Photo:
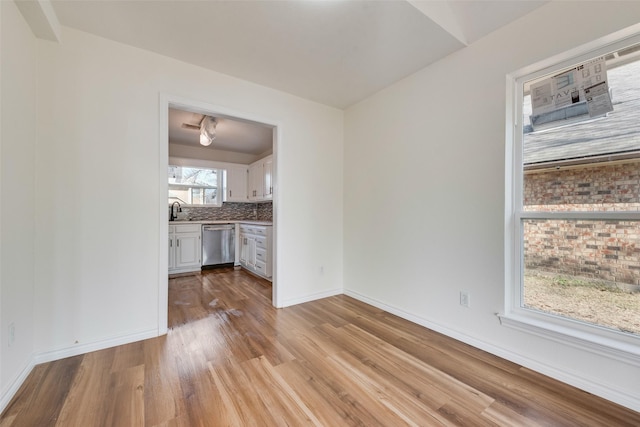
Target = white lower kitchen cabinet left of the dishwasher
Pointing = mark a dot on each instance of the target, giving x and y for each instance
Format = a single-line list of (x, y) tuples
[(184, 248)]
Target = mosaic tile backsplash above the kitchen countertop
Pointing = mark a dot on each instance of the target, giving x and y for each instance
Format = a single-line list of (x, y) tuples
[(230, 212)]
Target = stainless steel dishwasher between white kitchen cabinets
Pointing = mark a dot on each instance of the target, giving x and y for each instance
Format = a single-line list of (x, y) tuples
[(218, 244)]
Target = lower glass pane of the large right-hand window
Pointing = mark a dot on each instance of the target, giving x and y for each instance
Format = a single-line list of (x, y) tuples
[(587, 270)]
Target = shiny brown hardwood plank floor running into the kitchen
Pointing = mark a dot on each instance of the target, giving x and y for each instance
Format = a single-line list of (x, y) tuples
[(230, 359)]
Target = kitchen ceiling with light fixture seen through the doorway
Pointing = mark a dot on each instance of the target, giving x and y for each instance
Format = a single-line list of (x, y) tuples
[(233, 135)]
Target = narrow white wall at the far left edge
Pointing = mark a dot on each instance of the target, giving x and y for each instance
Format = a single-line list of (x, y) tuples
[(17, 142)]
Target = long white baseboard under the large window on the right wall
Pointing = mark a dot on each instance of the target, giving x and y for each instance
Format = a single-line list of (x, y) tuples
[(582, 383)]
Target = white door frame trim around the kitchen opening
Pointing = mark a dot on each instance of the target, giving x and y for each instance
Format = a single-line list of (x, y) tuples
[(167, 101)]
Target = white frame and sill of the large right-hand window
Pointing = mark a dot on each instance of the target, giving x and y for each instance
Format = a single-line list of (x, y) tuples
[(589, 337)]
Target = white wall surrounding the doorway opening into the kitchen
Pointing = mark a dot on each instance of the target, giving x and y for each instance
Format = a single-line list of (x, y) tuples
[(97, 172)]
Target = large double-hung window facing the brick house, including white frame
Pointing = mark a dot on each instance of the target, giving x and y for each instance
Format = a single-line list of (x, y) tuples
[(573, 217)]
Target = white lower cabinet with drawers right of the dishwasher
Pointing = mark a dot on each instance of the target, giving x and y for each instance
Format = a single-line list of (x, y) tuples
[(256, 249)]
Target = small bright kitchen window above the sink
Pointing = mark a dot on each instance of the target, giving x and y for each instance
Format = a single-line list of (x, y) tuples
[(195, 186)]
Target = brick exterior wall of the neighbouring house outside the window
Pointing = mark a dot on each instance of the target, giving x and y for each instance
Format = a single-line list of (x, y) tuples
[(606, 250)]
